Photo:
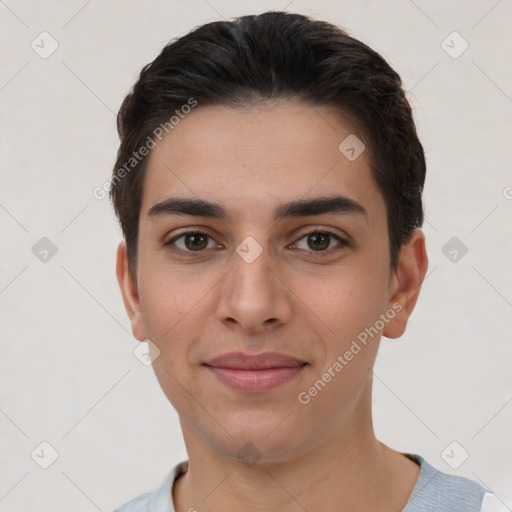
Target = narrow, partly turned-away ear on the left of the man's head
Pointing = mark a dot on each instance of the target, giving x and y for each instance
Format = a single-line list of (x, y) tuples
[(129, 292)]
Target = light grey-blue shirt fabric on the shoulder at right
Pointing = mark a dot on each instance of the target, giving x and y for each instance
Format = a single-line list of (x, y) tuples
[(435, 491)]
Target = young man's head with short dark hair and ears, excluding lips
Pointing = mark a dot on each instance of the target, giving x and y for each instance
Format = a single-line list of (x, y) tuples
[(262, 127)]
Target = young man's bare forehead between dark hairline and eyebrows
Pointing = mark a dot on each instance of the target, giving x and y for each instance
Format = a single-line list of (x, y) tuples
[(246, 158)]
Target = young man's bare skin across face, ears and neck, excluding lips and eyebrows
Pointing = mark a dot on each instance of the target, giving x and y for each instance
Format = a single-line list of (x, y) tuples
[(319, 456)]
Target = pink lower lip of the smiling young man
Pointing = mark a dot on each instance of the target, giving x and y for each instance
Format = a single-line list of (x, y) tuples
[(255, 381)]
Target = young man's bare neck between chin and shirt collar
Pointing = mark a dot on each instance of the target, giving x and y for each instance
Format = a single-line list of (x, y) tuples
[(346, 470)]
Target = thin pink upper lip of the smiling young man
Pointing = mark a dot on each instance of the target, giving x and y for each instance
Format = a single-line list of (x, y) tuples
[(241, 361)]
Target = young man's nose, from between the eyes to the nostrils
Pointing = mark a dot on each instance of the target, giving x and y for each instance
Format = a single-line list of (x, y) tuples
[(254, 299)]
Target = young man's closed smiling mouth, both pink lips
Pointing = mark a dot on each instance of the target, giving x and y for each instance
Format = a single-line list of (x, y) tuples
[(255, 373)]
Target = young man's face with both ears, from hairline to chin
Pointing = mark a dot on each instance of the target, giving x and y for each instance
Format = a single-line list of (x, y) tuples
[(257, 235)]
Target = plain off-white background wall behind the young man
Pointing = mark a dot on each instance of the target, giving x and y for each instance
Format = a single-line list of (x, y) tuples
[(68, 374)]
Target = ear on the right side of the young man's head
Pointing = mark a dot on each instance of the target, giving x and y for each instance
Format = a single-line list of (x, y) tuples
[(405, 283)]
